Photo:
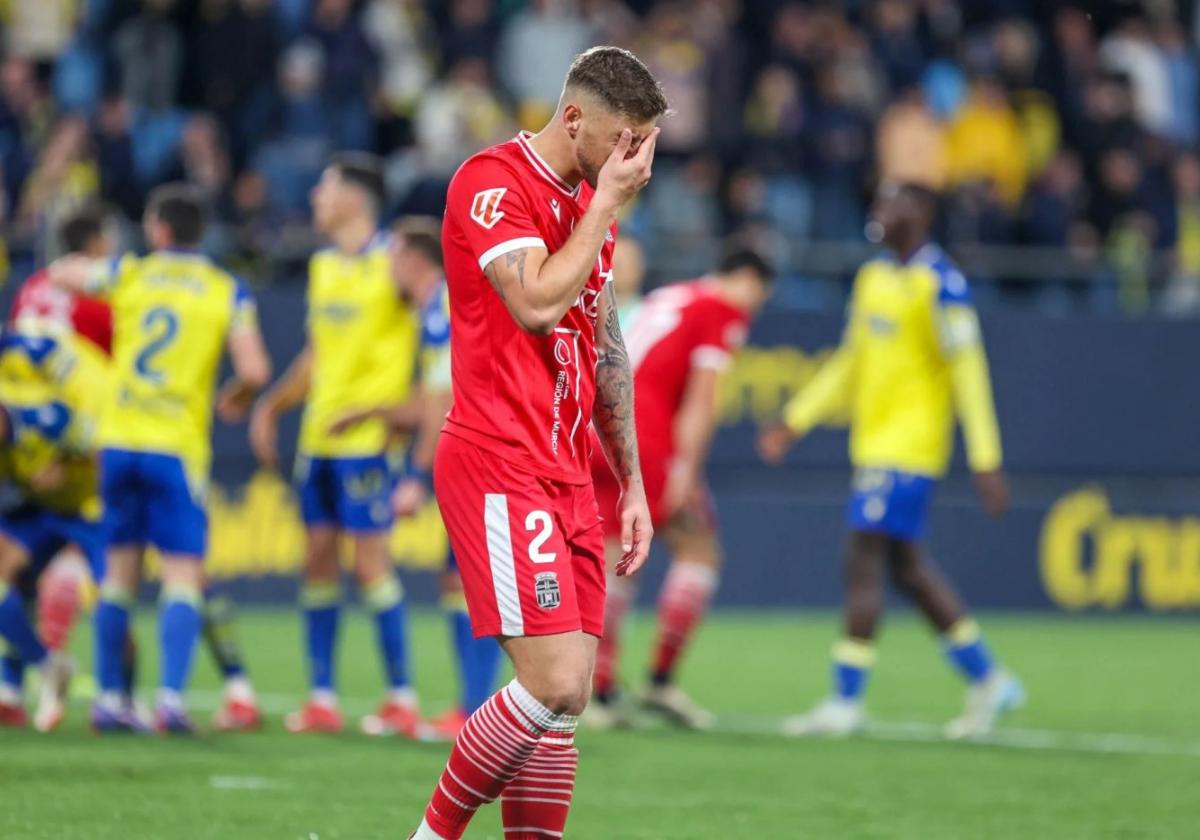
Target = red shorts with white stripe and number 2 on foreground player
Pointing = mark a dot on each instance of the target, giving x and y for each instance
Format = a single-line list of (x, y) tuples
[(530, 550)]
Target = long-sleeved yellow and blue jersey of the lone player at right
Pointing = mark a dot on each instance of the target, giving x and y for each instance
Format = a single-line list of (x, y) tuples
[(910, 363)]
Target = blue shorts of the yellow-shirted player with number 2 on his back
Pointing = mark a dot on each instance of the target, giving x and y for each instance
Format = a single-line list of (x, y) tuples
[(149, 501)]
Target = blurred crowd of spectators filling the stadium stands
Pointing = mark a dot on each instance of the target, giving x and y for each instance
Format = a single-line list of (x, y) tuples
[(1071, 129)]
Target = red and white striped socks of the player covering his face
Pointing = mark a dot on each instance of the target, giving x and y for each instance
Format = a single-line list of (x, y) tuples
[(496, 745)]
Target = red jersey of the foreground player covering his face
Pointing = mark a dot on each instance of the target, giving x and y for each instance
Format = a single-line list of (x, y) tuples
[(524, 397)]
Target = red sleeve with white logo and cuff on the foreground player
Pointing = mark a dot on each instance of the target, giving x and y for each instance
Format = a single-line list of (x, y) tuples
[(491, 212)]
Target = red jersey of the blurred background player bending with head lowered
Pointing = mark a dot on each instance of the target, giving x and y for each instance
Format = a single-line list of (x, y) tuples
[(679, 328)]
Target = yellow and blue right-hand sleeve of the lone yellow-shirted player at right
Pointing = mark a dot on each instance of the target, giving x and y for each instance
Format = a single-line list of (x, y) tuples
[(962, 344)]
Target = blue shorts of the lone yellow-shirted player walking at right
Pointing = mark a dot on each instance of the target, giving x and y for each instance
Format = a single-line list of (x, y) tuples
[(890, 502)]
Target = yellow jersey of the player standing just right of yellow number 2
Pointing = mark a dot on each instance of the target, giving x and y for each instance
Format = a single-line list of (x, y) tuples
[(364, 341)]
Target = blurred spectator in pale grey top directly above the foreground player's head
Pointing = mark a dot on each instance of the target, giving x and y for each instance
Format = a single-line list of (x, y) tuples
[(536, 49)]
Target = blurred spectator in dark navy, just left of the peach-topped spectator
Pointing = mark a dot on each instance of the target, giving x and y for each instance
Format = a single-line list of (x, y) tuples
[(841, 137)]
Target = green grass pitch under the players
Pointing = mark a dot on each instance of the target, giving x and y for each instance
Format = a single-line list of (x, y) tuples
[(1109, 747)]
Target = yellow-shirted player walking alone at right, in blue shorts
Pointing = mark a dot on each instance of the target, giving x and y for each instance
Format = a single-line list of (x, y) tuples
[(911, 361)]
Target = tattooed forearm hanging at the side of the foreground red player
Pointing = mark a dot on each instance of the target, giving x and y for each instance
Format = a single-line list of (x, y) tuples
[(614, 413)]
